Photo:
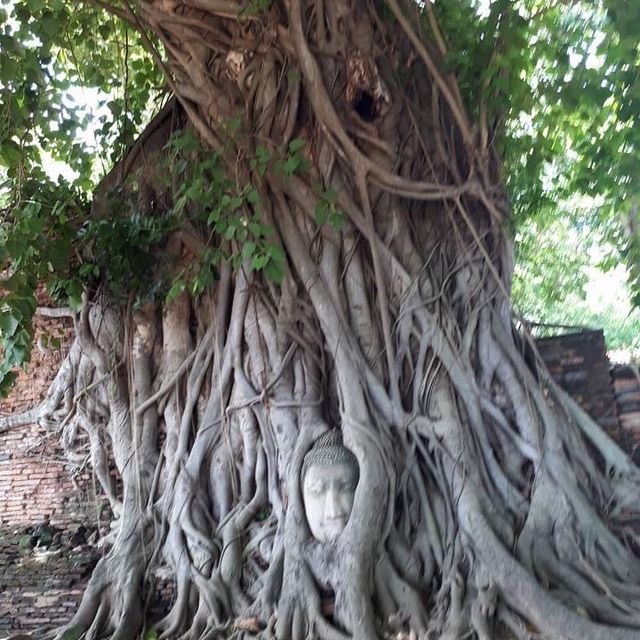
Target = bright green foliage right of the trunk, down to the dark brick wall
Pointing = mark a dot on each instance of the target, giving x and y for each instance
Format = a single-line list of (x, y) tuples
[(559, 87)]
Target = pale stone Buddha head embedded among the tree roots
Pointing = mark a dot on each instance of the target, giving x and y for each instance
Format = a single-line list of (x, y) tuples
[(329, 478)]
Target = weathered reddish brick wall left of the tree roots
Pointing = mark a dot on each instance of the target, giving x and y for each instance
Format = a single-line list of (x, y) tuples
[(48, 509)]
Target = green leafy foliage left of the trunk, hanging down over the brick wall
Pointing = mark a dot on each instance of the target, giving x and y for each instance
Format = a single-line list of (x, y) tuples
[(50, 71)]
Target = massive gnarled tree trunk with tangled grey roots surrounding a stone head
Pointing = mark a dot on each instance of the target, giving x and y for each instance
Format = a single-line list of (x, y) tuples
[(481, 510)]
